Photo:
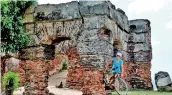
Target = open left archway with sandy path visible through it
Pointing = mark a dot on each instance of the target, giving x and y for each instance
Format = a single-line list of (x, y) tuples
[(58, 61)]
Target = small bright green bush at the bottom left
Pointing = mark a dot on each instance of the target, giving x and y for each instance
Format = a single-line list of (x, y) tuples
[(10, 82)]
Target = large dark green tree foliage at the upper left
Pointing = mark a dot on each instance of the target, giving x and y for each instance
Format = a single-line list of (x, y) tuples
[(12, 30)]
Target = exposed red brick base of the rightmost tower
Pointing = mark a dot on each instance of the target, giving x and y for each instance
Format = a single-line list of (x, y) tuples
[(138, 75)]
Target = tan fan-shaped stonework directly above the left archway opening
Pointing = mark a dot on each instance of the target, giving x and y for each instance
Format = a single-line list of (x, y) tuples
[(49, 32)]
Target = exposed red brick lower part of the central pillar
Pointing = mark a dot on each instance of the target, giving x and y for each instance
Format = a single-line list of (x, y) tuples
[(84, 77)]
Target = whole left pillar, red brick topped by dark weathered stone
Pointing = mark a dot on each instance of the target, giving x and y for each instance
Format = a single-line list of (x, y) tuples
[(35, 66)]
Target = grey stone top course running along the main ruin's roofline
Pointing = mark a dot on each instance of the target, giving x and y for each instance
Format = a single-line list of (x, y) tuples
[(75, 10)]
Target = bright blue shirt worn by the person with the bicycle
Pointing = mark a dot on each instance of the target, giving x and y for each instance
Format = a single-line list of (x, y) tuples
[(117, 65)]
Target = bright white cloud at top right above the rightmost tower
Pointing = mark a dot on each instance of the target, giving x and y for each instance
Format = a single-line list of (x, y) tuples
[(143, 6)]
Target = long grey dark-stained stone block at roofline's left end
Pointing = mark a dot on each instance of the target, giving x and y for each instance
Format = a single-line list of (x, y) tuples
[(56, 12)]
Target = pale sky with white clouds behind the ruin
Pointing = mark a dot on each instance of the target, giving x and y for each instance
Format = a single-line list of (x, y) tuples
[(159, 12)]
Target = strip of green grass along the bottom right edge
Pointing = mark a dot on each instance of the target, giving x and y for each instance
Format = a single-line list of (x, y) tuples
[(145, 93)]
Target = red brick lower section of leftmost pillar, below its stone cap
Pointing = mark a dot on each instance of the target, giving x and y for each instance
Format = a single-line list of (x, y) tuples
[(36, 77)]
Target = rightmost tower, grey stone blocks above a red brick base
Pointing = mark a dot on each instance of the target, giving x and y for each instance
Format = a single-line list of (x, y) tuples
[(140, 55)]
